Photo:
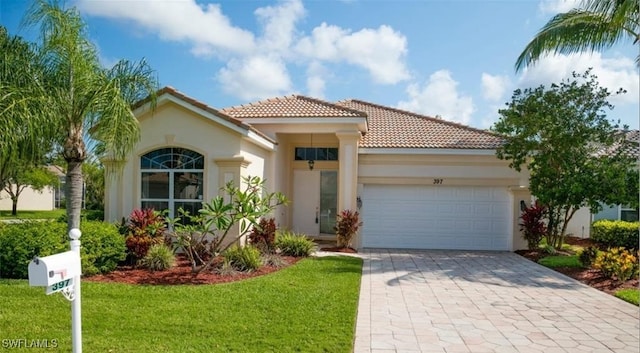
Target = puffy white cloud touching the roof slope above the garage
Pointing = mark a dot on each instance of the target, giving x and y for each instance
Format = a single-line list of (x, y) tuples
[(439, 96)]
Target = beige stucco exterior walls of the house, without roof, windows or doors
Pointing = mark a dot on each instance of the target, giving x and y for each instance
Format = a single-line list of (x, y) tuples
[(267, 149)]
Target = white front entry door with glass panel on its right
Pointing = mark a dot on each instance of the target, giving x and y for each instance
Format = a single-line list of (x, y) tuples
[(315, 201)]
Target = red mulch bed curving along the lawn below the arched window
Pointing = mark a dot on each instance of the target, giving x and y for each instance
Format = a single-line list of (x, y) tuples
[(181, 273)]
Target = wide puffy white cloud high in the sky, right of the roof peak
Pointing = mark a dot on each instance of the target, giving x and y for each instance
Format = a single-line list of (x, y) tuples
[(380, 51)]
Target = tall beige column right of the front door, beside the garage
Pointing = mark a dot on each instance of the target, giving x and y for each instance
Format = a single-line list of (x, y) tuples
[(348, 169)]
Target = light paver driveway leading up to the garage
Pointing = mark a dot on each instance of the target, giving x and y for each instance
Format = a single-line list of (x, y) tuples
[(458, 301)]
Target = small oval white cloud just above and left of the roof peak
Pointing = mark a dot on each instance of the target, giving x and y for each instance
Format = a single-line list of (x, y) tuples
[(255, 77)]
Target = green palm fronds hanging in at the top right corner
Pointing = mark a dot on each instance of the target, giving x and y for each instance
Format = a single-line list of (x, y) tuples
[(596, 25)]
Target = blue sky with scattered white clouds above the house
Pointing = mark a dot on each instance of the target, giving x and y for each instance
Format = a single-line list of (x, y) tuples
[(448, 58)]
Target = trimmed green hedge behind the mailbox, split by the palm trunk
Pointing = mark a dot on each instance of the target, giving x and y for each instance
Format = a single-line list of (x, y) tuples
[(102, 246)]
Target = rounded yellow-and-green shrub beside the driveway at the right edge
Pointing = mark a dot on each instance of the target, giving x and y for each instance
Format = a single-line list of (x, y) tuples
[(617, 263)]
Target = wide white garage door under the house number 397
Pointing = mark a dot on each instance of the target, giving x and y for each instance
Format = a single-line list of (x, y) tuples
[(435, 217)]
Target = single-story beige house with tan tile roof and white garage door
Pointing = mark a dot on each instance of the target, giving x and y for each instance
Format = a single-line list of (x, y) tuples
[(419, 182)]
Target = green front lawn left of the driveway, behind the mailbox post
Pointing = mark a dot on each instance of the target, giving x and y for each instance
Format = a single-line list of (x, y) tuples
[(308, 307)]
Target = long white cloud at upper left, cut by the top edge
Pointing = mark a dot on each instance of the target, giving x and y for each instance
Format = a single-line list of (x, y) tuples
[(205, 27)]
